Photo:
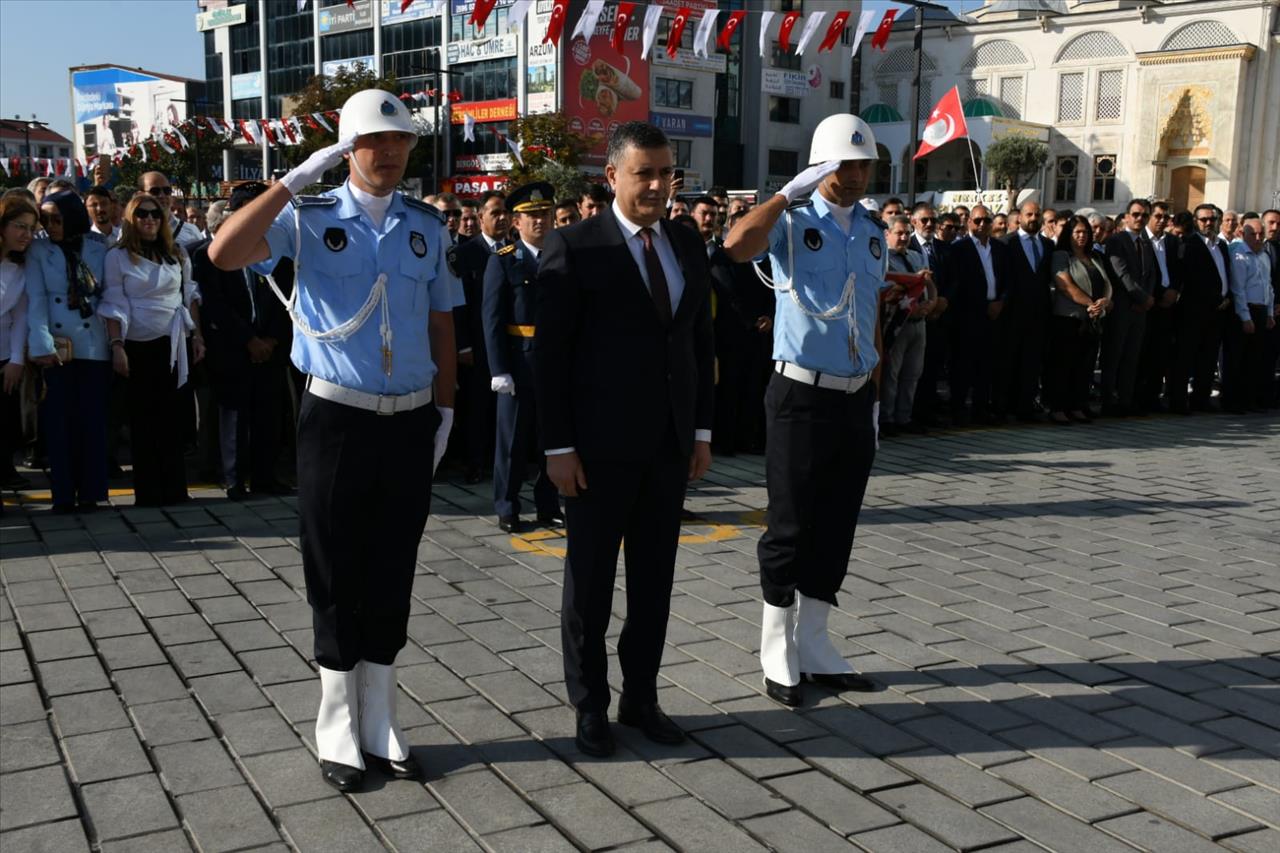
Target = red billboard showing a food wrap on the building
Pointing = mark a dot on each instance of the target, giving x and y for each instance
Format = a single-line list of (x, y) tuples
[(604, 89)]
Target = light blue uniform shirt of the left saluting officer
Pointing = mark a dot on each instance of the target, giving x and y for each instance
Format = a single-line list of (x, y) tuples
[(341, 256)]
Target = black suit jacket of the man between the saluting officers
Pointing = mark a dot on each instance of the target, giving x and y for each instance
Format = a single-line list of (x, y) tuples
[(612, 377)]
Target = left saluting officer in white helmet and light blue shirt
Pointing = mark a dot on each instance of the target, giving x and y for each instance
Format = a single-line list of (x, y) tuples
[(373, 321)]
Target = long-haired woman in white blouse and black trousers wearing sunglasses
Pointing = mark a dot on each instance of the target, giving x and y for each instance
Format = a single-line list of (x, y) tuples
[(152, 308)]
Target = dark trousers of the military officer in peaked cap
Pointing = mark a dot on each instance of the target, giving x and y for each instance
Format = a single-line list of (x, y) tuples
[(516, 443)]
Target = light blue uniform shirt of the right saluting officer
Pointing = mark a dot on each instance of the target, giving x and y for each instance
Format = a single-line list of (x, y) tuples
[(825, 257)]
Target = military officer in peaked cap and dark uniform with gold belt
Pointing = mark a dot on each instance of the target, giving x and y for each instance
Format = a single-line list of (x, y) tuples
[(510, 303)]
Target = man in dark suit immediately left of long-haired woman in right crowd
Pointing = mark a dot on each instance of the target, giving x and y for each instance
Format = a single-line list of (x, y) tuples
[(1023, 323)]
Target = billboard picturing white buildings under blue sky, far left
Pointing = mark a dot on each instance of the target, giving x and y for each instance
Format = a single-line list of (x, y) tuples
[(113, 108)]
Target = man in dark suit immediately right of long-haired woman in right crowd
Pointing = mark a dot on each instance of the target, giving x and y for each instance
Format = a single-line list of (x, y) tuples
[(1131, 261)]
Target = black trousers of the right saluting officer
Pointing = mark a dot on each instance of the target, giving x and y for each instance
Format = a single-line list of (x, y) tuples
[(821, 448)]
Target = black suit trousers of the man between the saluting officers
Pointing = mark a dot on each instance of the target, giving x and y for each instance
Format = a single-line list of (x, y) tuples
[(641, 504)]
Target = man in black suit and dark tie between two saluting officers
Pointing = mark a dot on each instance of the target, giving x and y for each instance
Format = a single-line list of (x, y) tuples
[(625, 385)]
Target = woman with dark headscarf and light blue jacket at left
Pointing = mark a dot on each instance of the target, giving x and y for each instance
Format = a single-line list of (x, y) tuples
[(66, 336)]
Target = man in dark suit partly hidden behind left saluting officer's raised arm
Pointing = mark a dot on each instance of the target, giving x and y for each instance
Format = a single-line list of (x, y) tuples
[(249, 335)]
